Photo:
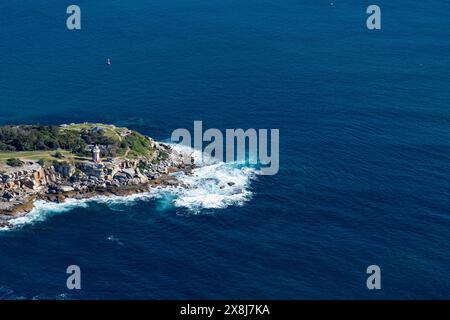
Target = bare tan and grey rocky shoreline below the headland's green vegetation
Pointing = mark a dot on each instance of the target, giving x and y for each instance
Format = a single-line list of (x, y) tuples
[(21, 187)]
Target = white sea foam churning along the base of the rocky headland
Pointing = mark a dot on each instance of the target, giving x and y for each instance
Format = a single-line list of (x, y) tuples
[(214, 185)]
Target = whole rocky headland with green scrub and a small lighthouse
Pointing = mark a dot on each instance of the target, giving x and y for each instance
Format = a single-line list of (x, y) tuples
[(53, 163)]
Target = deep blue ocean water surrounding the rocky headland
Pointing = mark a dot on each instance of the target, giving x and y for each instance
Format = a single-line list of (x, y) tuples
[(364, 119)]
